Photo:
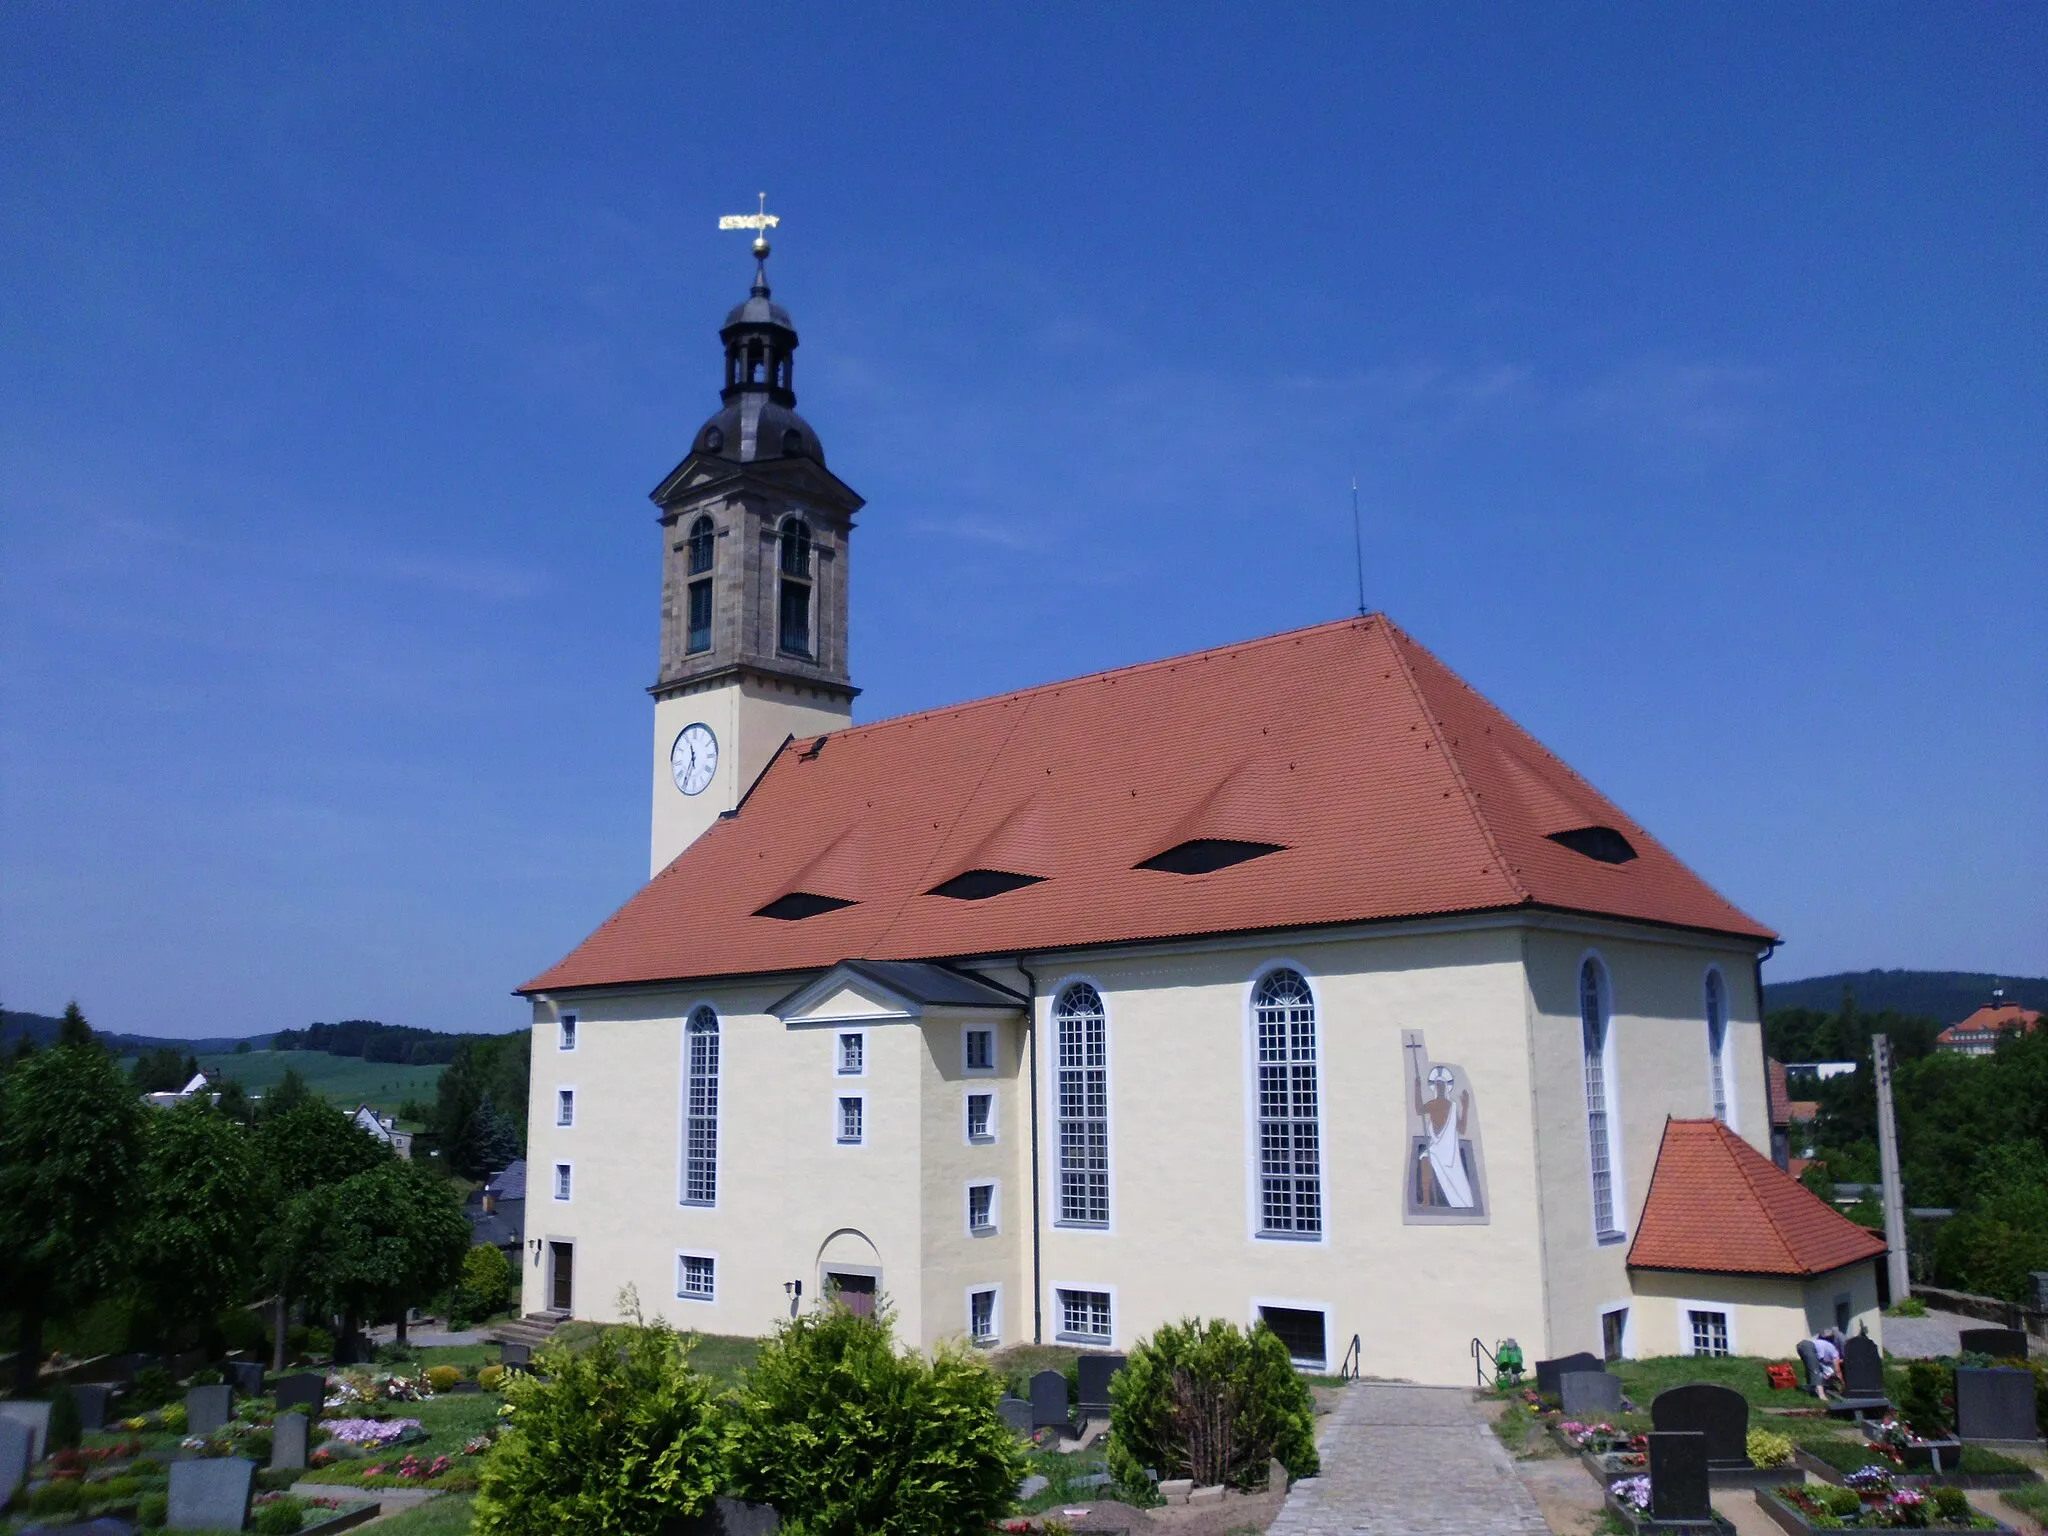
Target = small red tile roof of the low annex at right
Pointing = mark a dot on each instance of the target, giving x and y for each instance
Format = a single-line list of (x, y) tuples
[(1719, 1205)]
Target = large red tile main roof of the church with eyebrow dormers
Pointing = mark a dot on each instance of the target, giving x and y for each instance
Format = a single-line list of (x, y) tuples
[(1392, 787)]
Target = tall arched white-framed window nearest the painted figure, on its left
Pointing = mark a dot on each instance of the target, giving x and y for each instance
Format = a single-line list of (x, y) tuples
[(1291, 1144)]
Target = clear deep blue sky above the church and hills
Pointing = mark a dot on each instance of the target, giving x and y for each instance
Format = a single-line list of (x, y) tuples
[(1693, 361)]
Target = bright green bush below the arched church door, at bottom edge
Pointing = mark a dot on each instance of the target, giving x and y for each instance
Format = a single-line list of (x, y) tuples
[(847, 1437)]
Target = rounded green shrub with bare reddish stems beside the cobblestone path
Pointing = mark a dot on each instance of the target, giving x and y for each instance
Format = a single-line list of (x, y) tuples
[(1213, 1404)]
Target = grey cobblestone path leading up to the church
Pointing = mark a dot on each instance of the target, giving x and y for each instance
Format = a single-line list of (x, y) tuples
[(1410, 1461)]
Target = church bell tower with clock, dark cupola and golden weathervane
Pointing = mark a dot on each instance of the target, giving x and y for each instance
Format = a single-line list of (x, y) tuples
[(755, 572)]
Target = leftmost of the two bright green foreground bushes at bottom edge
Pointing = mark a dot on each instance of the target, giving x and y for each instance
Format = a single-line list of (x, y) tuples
[(613, 1439)]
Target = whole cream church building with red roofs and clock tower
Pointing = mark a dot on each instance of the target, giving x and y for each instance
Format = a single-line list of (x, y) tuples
[(1279, 982)]
